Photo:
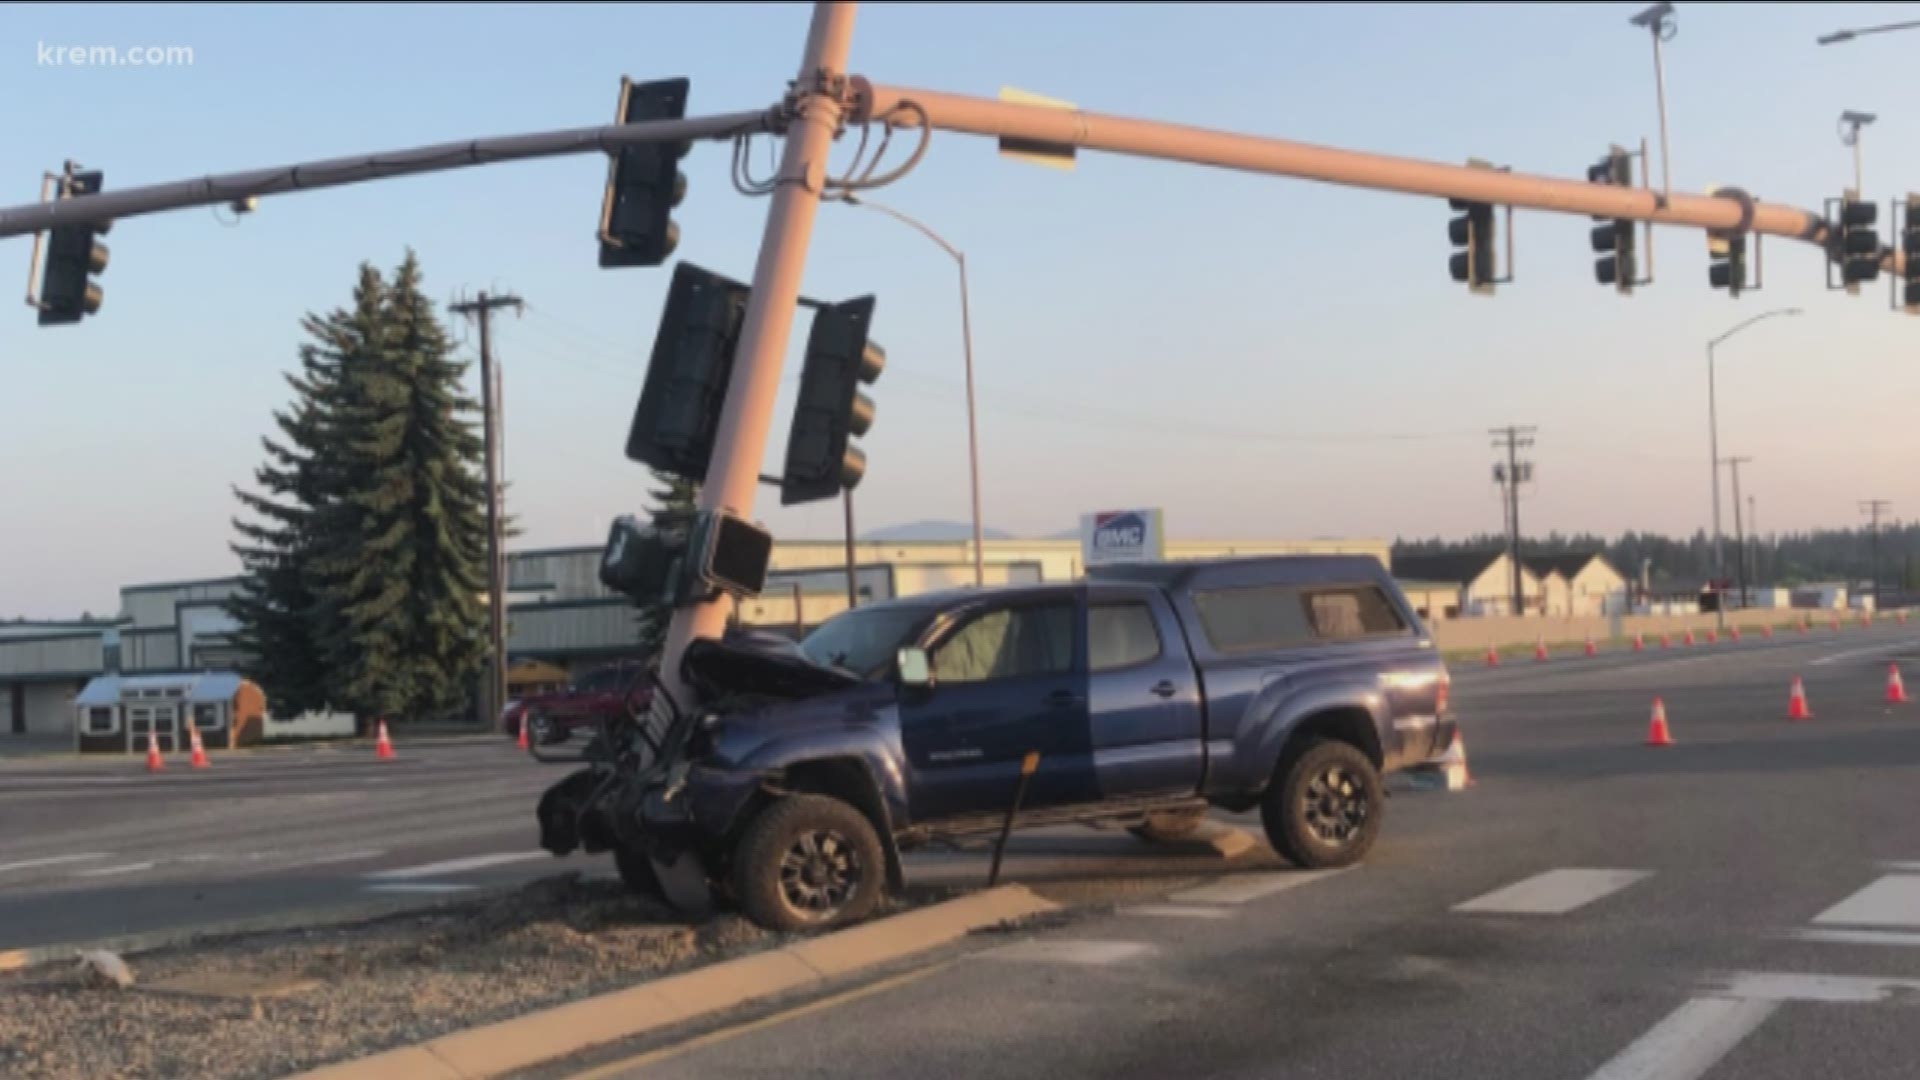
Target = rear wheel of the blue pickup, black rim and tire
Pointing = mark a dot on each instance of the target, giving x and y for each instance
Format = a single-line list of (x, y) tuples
[(1326, 808)]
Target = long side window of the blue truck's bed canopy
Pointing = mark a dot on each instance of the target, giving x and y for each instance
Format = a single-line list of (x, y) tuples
[(1282, 616)]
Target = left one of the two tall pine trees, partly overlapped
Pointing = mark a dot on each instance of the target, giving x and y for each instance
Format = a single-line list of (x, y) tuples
[(281, 616)]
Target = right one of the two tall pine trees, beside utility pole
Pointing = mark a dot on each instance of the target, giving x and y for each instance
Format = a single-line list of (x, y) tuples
[(406, 552)]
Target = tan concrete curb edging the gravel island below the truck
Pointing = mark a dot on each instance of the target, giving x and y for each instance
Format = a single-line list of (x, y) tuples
[(523, 1043)]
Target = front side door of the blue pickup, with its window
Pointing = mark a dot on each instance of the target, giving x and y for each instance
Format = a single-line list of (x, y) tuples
[(1009, 679)]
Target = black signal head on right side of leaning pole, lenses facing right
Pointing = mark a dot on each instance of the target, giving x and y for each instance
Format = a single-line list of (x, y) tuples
[(832, 410)]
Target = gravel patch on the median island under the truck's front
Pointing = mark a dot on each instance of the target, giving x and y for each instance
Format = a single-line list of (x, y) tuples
[(383, 985)]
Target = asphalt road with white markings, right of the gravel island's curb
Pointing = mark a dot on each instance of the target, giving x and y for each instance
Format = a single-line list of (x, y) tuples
[(1744, 904)]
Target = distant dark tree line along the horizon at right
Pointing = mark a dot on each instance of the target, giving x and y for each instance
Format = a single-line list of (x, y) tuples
[(1779, 558)]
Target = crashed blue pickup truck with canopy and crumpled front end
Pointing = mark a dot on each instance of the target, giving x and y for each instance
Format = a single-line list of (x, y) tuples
[(1149, 693)]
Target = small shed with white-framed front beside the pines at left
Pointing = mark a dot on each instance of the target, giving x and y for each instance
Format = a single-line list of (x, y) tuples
[(120, 714)]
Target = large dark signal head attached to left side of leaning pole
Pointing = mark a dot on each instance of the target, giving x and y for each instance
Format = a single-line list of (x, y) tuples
[(688, 376)]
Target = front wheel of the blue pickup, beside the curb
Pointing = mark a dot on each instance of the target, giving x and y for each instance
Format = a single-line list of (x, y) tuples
[(809, 864)]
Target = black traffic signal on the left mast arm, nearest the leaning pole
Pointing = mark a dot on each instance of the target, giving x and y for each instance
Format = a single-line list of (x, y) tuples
[(644, 182)]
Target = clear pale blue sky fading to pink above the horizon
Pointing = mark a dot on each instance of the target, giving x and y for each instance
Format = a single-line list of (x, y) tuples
[(1259, 356)]
